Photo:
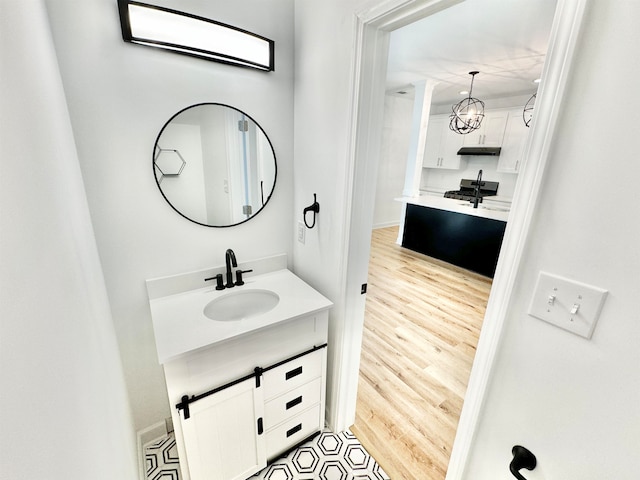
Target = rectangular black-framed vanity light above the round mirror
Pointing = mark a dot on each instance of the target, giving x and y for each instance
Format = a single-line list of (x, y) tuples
[(193, 35)]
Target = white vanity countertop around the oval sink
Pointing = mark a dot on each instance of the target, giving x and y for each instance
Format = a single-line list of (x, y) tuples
[(180, 325)]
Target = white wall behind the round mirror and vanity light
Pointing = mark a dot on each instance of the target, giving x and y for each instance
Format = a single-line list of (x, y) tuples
[(119, 96)]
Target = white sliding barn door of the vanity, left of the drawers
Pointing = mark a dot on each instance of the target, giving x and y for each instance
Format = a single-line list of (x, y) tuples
[(222, 438)]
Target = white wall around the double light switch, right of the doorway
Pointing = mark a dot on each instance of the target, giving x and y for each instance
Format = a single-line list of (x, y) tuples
[(571, 401)]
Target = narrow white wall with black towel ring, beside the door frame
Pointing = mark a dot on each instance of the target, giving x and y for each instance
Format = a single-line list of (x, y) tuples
[(321, 149)]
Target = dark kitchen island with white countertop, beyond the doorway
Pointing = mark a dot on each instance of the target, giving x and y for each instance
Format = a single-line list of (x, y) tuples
[(454, 232)]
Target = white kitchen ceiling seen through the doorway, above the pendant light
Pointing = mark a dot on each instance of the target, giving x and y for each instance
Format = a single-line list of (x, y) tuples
[(505, 40)]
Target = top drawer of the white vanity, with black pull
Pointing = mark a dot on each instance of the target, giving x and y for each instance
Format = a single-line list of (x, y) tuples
[(293, 374)]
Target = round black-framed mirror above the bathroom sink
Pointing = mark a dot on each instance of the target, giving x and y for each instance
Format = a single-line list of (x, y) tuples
[(214, 165)]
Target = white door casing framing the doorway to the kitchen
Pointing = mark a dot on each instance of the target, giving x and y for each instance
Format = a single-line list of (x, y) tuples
[(373, 33)]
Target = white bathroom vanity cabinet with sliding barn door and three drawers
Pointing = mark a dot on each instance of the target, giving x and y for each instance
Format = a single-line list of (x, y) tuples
[(244, 417)]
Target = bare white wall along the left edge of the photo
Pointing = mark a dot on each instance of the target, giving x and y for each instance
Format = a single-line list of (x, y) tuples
[(63, 402)]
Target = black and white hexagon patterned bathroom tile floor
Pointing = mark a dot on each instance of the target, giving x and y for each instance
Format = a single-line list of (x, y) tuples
[(328, 456)]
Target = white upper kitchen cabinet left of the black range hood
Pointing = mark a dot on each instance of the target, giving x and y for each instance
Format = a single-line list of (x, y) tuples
[(442, 145)]
